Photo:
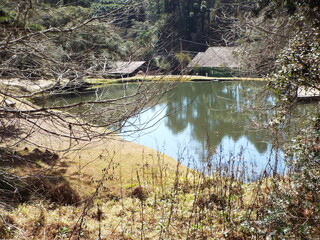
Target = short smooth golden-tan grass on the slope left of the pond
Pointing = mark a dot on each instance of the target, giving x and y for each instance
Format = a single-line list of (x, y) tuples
[(84, 164)]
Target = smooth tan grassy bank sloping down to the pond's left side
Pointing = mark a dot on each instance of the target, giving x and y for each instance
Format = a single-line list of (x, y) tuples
[(81, 159)]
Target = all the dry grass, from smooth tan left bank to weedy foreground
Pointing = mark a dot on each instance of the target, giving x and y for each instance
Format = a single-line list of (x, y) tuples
[(126, 191)]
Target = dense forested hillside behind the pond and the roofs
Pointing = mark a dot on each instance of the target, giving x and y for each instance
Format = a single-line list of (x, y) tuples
[(75, 38)]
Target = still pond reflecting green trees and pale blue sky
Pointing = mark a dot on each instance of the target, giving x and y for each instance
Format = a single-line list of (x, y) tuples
[(209, 124)]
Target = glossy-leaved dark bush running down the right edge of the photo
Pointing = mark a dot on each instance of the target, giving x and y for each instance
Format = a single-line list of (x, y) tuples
[(293, 206)]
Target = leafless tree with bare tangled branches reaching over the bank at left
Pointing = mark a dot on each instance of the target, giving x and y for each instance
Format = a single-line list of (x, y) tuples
[(64, 41)]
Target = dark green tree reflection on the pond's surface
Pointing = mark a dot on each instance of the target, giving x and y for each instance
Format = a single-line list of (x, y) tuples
[(215, 111)]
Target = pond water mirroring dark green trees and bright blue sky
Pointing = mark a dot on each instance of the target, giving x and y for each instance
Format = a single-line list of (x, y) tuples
[(206, 117)]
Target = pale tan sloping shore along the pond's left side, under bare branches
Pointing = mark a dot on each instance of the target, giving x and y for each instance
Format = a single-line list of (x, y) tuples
[(83, 162)]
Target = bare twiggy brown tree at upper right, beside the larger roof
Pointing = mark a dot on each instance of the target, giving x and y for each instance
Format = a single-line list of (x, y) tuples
[(266, 29)]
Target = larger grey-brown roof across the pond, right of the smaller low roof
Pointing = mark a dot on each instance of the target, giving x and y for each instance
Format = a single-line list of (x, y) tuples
[(215, 57)]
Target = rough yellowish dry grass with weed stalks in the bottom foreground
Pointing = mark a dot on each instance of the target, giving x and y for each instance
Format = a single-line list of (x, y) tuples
[(163, 206)]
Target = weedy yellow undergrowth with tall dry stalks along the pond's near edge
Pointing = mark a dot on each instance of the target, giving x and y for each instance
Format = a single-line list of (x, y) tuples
[(158, 203)]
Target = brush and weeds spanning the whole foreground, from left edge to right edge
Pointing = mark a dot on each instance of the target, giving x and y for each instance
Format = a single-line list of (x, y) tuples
[(158, 202)]
